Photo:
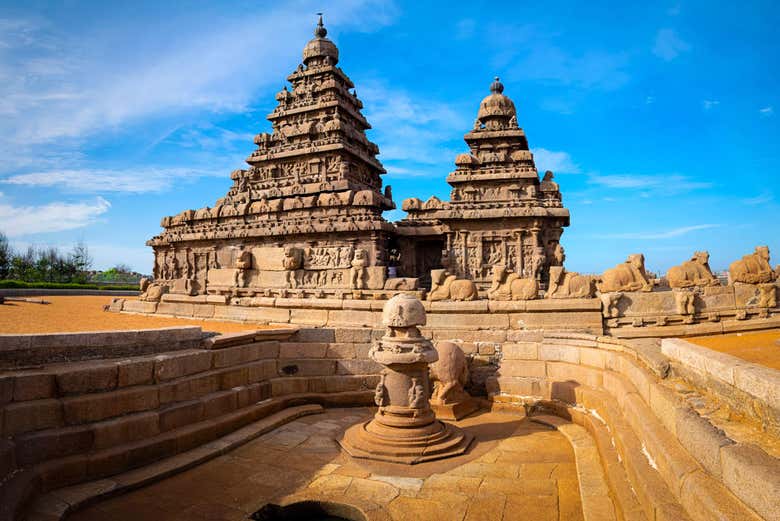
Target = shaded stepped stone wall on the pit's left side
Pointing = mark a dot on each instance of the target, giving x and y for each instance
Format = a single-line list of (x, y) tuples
[(67, 423)]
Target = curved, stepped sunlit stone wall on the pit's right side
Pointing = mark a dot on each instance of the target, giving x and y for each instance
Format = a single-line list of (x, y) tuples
[(660, 455)]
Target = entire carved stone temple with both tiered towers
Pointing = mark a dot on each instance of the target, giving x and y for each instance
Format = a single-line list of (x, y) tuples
[(306, 215)]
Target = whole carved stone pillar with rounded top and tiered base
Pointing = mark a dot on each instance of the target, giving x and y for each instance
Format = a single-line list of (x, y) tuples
[(404, 429)]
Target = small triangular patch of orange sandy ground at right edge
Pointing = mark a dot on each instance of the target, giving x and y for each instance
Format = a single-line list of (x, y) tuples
[(760, 347)]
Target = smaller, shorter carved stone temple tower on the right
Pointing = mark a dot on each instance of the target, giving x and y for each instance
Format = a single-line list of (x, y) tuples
[(499, 212)]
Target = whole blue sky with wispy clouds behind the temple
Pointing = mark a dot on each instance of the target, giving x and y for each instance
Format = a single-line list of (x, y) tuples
[(660, 121)]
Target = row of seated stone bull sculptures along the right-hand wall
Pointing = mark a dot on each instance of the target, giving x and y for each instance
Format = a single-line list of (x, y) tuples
[(627, 276)]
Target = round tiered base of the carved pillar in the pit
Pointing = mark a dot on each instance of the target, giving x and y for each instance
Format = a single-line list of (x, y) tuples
[(437, 440)]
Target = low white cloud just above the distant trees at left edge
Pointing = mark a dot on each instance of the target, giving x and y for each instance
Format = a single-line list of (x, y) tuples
[(16, 221)]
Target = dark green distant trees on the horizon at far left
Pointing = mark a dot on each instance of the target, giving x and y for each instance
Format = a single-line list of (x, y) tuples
[(44, 264)]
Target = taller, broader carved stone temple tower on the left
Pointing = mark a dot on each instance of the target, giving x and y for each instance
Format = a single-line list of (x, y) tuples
[(306, 213)]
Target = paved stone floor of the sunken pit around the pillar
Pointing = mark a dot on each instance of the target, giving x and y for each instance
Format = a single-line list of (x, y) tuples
[(517, 470)]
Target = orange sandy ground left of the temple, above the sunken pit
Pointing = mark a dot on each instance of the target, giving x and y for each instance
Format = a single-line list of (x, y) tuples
[(85, 313)]
